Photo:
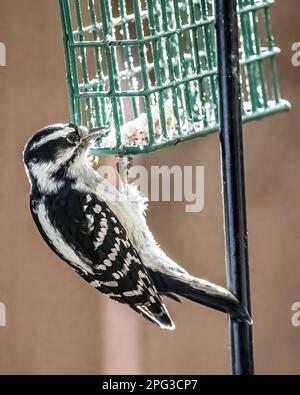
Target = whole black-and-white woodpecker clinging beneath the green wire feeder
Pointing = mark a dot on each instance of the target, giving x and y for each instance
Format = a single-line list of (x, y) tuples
[(107, 240)]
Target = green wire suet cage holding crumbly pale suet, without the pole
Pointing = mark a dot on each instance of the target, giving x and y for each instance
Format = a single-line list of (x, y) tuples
[(153, 63)]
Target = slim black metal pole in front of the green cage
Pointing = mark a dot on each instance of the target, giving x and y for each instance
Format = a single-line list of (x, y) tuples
[(233, 181)]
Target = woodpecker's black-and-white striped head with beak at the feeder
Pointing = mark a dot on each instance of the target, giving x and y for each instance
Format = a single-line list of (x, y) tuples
[(55, 153)]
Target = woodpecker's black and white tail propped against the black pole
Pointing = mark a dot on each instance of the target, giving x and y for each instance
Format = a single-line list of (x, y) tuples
[(201, 291)]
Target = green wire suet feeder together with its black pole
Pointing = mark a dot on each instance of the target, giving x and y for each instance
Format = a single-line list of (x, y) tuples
[(180, 69)]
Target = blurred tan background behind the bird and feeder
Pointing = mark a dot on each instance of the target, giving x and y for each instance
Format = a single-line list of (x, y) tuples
[(56, 323)]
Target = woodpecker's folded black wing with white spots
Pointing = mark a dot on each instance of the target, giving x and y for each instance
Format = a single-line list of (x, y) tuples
[(105, 256)]
